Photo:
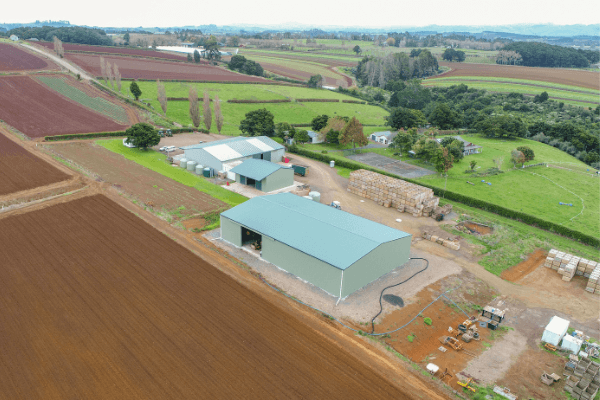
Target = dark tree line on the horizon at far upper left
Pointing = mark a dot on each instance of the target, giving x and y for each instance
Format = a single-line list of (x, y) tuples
[(72, 34)]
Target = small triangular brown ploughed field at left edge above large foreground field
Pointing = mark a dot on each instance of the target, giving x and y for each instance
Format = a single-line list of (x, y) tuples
[(22, 170)]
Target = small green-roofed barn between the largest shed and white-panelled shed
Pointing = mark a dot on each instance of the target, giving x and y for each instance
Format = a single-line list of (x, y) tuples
[(263, 175)]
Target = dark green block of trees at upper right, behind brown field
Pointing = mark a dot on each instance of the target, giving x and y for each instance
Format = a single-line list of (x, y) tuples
[(546, 55)]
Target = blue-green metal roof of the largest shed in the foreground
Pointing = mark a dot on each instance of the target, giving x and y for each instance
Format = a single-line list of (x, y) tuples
[(333, 236)]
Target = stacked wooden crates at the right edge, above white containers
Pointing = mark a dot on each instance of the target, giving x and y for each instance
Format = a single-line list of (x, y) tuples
[(569, 265)]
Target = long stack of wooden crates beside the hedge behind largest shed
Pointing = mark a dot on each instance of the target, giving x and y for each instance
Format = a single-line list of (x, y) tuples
[(391, 192)]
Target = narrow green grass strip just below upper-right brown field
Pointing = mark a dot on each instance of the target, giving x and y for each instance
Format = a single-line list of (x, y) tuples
[(584, 99)]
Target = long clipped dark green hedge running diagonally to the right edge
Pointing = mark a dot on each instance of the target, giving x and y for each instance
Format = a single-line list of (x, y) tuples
[(461, 198)]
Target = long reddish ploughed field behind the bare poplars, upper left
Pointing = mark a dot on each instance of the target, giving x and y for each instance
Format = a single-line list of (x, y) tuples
[(136, 68)]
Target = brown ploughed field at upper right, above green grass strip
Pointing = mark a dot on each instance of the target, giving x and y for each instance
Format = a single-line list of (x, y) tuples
[(587, 79)]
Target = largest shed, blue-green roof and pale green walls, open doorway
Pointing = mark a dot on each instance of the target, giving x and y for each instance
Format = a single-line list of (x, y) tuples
[(332, 249)]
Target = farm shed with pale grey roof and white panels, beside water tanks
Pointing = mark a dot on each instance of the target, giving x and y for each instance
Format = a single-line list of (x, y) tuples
[(224, 155)]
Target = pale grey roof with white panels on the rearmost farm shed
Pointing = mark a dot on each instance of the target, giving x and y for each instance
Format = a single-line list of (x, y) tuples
[(237, 147)]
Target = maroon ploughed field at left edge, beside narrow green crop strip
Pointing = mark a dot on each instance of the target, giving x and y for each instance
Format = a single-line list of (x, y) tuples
[(37, 111)]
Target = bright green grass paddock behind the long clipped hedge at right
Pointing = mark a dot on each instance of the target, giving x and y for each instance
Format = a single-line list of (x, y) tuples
[(536, 191)]
